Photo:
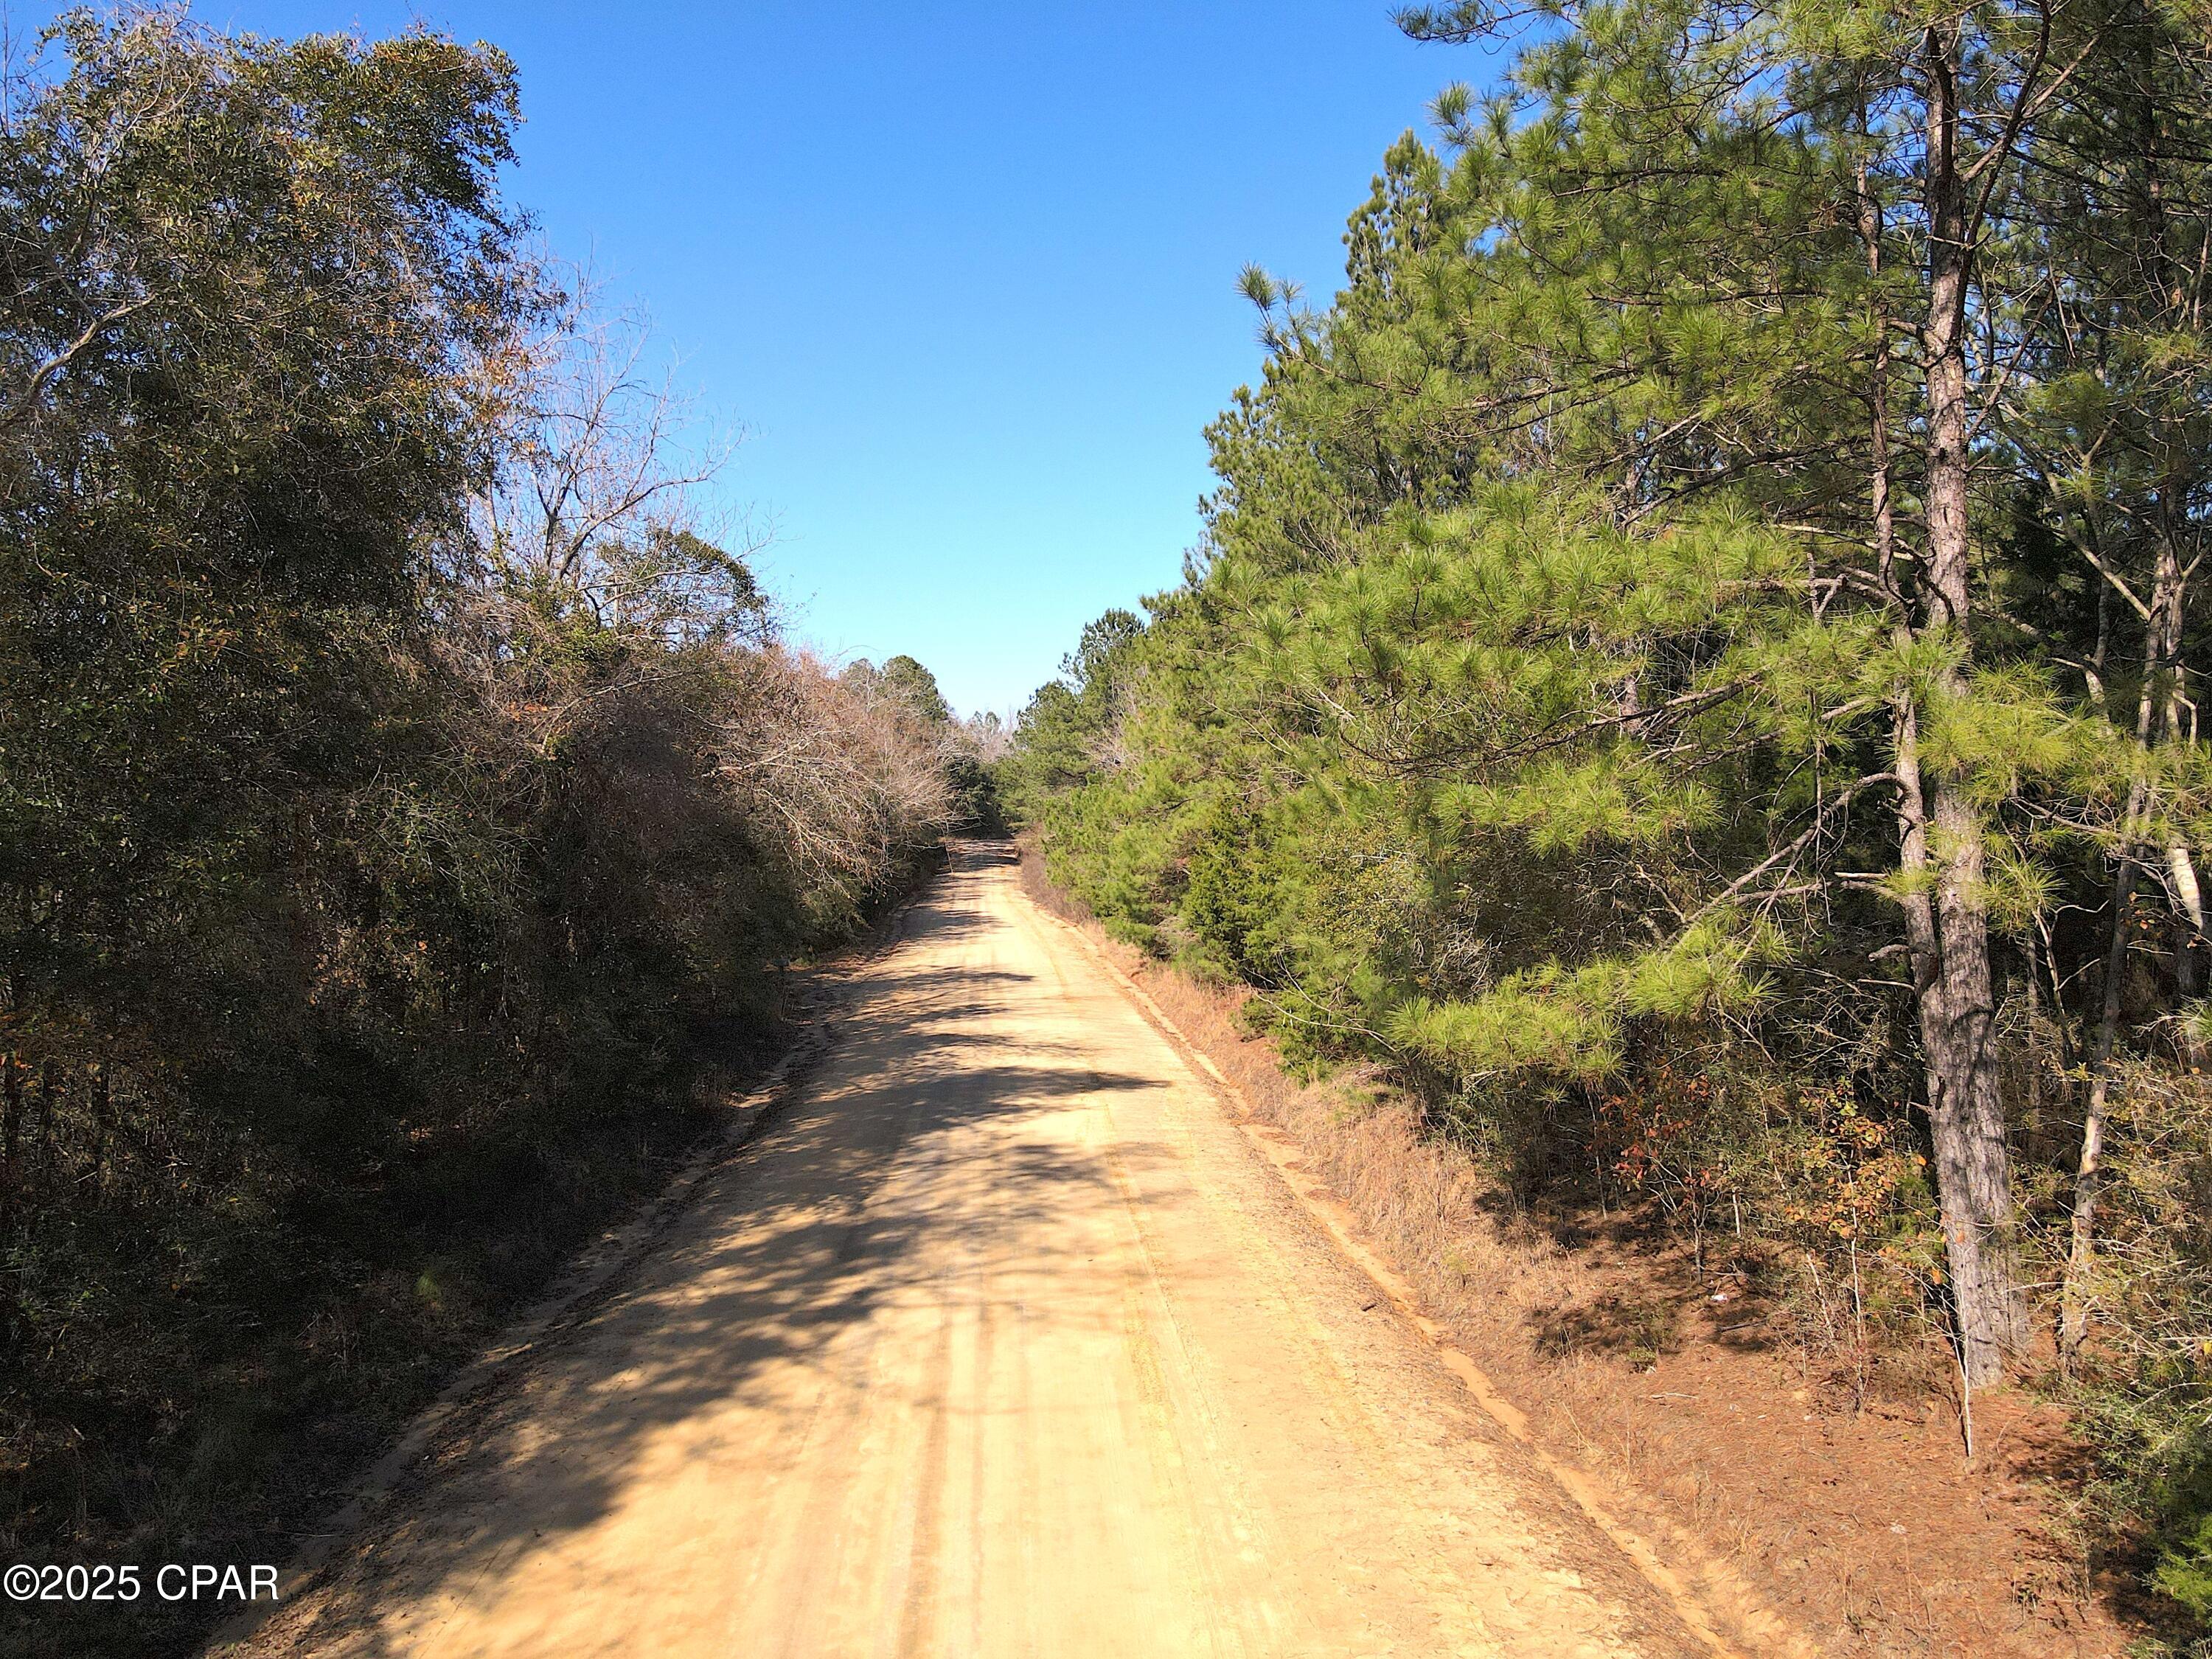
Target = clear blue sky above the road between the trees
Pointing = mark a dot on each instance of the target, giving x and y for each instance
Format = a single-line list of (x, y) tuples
[(966, 273)]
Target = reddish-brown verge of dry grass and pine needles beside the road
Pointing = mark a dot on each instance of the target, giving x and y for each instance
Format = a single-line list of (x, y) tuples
[(1718, 1434)]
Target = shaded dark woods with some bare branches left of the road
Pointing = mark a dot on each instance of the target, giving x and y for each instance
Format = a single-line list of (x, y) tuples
[(401, 784)]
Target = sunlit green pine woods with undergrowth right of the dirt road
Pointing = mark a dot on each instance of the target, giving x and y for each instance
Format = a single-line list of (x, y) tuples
[(1693, 665)]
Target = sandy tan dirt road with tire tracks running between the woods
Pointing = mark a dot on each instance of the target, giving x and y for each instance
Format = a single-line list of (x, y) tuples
[(1001, 1342)]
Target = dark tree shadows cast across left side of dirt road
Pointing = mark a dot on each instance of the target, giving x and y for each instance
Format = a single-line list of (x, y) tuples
[(906, 1147)]
